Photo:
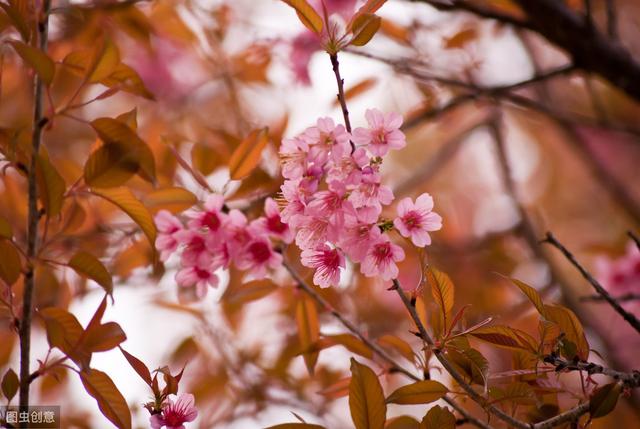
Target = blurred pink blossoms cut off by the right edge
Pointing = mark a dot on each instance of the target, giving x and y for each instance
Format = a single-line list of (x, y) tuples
[(621, 276)]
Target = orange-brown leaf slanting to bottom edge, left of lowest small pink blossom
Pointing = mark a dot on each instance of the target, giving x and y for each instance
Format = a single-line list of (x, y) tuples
[(110, 401)]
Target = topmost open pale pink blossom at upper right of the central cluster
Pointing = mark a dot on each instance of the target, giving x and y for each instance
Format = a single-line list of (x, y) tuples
[(382, 134)]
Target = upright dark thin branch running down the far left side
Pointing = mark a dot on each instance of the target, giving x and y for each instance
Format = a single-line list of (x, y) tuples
[(39, 123)]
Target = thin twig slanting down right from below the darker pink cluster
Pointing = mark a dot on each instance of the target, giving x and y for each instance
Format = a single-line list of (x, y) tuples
[(304, 286)]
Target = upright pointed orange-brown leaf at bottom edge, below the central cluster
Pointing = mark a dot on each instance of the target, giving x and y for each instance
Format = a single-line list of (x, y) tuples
[(366, 399)]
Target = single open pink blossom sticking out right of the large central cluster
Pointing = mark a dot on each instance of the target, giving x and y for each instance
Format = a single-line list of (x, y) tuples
[(416, 220)]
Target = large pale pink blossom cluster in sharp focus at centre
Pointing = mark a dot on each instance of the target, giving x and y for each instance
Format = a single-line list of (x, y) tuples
[(334, 199)]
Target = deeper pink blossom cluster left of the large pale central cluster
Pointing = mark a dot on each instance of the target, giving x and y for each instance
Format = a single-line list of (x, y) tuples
[(213, 237)]
